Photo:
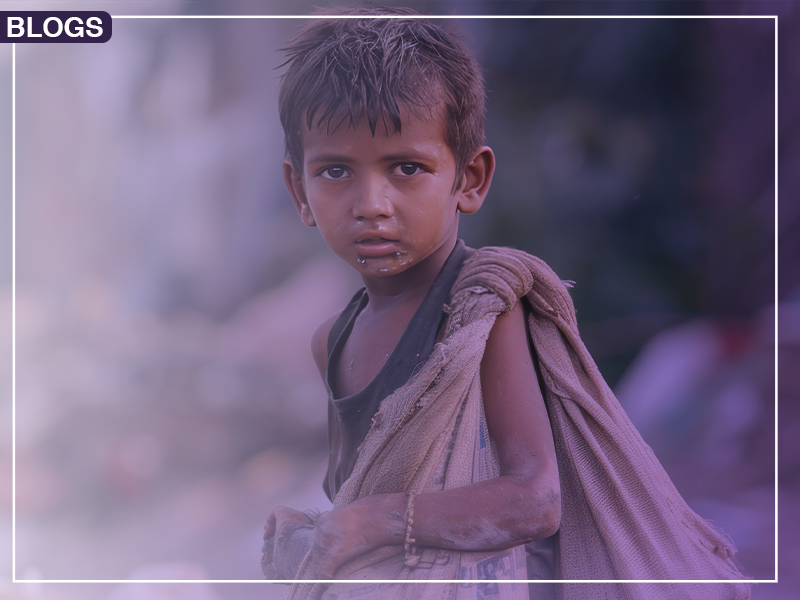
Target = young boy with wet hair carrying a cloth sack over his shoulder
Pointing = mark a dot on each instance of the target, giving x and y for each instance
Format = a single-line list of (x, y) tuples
[(463, 422)]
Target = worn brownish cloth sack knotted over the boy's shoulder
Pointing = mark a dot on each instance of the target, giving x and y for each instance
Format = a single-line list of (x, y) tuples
[(622, 518)]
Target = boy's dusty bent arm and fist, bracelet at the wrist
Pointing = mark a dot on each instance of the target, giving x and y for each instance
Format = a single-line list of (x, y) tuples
[(521, 505)]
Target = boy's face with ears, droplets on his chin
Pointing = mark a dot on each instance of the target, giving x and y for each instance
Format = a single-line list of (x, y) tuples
[(385, 202)]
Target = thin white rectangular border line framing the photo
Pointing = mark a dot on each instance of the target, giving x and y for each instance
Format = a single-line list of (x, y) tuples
[(258, 581)]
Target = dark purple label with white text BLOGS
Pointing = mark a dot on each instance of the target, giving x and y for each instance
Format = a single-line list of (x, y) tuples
[(51, 26)]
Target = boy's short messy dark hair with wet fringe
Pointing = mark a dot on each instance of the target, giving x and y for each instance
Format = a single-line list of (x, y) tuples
[(352, 69)]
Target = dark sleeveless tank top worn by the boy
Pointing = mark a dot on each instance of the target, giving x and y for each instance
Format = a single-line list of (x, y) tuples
[(350, 418)]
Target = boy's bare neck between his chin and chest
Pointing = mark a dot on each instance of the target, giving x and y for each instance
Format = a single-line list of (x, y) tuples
[(414, 282)]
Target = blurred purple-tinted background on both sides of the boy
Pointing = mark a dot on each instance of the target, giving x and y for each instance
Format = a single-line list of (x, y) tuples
[(166, 291)]
